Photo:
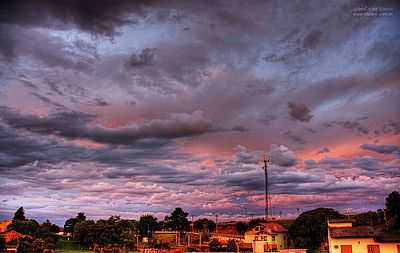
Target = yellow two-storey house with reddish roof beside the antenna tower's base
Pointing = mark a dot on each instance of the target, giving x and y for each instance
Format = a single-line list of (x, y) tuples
[(269, 236)]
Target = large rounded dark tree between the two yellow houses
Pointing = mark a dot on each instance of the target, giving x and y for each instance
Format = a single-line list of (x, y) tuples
[(310, 228)]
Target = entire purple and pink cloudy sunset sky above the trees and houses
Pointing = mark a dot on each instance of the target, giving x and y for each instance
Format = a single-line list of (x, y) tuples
[(131, 107)]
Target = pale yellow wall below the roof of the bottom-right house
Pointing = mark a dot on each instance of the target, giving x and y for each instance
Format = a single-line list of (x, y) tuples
[(359, 245)]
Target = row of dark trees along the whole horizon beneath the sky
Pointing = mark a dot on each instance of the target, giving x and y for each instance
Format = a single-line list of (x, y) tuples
[(309, 230)]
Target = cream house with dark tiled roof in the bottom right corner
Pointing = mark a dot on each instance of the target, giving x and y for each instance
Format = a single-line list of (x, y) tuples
[(343, 237)]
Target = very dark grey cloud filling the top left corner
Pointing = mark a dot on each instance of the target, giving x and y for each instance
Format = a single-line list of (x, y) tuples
[(97, 16)]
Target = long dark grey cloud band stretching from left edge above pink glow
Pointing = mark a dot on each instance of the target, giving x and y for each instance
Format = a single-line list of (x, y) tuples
[(75, 125)]
